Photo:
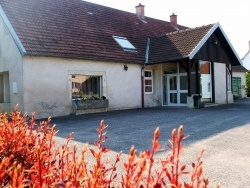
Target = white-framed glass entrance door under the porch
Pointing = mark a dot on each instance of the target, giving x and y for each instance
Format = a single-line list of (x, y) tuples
[(176, 94)]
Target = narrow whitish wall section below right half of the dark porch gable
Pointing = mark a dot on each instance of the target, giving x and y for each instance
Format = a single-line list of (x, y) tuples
[(222, 96)]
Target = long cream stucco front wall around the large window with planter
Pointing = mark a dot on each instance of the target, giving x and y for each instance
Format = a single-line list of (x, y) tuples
[(47, 84)]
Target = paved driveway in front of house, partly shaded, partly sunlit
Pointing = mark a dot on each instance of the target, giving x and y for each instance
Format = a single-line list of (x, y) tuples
[(222, 130)]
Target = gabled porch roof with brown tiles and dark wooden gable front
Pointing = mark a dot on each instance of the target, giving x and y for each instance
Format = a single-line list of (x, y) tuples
[(188, 44)]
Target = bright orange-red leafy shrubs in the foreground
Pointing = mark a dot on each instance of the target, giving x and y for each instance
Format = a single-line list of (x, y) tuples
[(29, 157)]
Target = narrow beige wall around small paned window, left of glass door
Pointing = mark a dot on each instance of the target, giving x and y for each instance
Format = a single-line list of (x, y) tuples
[(155, 99)]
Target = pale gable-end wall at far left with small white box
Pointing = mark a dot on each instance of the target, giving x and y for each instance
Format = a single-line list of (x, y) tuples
[(10, 71)]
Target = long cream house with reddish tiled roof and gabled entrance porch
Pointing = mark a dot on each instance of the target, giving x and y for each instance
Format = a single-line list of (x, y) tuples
[(55, 52)]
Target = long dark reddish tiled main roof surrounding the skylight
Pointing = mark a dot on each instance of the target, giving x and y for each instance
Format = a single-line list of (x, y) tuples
[(79, 29)]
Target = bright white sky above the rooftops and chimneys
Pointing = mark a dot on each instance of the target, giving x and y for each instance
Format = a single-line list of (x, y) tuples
[(233, 15)]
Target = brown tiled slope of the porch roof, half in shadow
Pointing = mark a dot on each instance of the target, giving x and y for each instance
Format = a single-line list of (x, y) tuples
[(176, 45)]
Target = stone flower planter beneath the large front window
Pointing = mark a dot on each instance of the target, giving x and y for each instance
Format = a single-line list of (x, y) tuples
[(89, 106)]
